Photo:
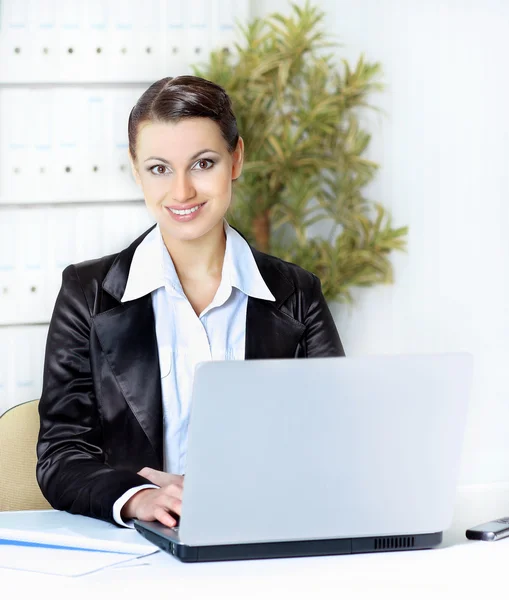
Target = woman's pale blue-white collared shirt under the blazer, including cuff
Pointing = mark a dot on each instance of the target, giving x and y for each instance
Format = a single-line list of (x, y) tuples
[(183, 338)]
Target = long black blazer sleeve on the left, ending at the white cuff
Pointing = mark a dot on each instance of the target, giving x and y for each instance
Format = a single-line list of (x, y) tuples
[(71, 468)]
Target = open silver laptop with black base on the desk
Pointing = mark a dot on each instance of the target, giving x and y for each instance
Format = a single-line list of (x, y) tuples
[(319, 456)]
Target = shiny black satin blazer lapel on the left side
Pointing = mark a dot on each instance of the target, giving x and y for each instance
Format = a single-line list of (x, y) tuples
[(127, 336)]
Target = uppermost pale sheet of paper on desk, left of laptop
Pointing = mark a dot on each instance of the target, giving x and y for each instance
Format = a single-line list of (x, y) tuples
[(59, 528)]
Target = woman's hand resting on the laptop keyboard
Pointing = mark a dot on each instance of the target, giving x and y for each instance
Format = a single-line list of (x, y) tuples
[(163, 505)]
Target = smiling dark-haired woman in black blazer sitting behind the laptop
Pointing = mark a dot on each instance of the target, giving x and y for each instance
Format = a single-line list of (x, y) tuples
[(128, 329)]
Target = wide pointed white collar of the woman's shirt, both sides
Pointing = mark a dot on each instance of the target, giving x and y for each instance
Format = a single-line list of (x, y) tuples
[(152, 268)]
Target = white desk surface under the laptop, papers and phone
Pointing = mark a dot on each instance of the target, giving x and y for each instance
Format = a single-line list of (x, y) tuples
[(458, 567)]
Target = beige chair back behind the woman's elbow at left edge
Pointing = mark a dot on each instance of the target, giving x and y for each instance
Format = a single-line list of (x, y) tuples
[(19, 428)]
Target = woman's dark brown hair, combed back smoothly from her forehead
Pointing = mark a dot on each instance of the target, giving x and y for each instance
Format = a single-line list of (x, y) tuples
[(174, 98)]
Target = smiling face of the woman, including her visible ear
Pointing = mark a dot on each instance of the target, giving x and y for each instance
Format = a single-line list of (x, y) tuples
[(185, 171)]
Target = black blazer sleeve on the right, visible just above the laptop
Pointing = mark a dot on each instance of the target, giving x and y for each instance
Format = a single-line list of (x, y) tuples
[(321, 336)]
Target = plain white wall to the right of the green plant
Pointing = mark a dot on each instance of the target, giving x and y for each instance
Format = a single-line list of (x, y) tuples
[(444, 151)]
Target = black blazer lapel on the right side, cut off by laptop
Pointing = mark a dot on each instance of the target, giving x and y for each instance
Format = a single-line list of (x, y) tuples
[(270, 332)]
